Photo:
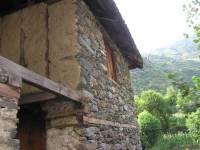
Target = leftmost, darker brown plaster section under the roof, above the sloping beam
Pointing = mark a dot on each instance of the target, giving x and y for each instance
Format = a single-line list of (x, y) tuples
[(10, 39)]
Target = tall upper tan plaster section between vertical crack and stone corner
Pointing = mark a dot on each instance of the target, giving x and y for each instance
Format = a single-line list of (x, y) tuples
[(62, 26)]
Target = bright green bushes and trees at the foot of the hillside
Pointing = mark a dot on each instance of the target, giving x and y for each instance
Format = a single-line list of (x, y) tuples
[(169, 121)]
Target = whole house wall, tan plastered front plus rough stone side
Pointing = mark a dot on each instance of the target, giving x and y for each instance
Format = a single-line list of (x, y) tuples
[(66, 45)]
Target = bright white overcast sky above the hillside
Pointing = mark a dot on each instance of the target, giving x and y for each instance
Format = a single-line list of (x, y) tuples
[(154, 23)]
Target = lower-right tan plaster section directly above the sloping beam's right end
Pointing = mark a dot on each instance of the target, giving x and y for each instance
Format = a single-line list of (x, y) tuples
[(66, 72)]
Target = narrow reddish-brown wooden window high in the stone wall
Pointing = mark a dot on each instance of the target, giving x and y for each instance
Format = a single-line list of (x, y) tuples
[(110, 62)]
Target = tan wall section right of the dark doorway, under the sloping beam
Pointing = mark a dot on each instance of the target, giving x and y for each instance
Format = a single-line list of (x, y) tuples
[(63, 130)]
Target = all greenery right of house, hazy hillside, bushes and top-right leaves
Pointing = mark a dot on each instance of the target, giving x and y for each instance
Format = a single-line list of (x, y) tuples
[(169, 118)]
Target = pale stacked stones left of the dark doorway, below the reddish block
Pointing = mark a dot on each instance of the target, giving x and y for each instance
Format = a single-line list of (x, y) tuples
[(8, 124)]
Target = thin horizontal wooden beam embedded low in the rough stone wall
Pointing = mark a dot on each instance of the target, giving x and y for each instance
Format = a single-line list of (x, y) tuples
[(89, 120)]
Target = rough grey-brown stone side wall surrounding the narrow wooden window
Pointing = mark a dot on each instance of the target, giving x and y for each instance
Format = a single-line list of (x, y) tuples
[(112, 100)]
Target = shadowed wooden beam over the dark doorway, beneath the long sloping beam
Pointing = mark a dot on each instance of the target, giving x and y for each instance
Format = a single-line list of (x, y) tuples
[(36, 97)]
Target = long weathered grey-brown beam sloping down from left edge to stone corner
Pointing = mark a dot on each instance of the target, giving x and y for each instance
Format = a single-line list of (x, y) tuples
[(39, 81)]
